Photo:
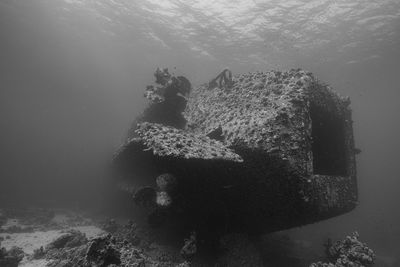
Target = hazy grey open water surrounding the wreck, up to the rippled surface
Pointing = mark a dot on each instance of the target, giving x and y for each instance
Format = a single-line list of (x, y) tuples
[(73, 73)]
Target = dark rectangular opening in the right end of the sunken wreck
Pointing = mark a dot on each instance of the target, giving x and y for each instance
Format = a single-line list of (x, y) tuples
[(328, 142)]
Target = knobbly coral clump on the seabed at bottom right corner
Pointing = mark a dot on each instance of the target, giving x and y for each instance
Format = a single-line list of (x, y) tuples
[(349, 252)]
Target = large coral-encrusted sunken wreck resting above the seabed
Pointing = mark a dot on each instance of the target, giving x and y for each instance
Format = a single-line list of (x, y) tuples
[(264, 152)]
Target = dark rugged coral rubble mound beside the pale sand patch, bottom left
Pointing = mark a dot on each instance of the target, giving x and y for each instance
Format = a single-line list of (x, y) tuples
[(124, 247)]
